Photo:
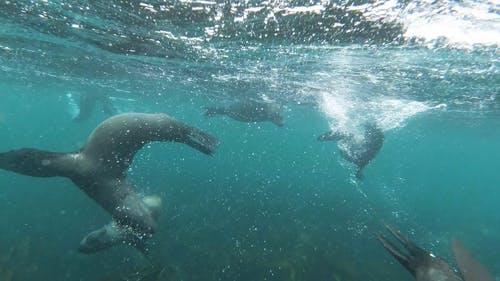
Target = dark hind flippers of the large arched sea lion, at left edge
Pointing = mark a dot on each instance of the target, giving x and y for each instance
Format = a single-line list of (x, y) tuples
[(35, 163)]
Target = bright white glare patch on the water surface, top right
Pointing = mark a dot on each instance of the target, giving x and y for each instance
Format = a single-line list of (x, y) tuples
[(461, 24)]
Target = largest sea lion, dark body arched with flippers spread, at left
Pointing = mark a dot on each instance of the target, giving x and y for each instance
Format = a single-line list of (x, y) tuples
[(99, 169)]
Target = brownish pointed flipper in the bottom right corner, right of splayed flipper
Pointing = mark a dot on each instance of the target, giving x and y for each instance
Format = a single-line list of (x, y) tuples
[(470, 268)]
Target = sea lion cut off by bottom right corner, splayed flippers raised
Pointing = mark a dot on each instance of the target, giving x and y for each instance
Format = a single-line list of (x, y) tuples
[(425, 266)]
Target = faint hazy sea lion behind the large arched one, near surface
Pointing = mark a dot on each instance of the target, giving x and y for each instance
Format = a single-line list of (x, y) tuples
[(88, 101)]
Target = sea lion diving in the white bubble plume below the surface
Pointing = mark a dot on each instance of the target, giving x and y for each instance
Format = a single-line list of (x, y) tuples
[(359, 151)]
